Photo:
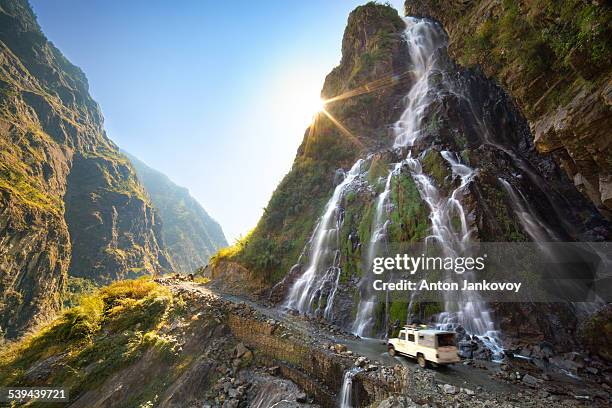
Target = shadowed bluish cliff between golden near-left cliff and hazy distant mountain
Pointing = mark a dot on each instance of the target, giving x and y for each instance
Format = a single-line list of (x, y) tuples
[(114, 228)]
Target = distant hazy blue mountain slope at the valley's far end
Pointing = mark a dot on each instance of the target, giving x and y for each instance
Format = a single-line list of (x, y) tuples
[(190, 234)]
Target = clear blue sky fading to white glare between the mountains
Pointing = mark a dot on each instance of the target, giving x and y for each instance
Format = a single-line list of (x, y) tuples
[(214, 94)]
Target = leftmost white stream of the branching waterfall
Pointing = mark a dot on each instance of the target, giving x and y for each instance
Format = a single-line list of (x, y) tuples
[(323, 268)]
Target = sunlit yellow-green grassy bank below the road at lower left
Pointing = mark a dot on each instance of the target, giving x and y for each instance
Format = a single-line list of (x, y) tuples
[(106, 331)]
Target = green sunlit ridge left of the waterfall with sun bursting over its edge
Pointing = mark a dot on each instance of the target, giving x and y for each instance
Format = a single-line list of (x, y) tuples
[(363, 94)]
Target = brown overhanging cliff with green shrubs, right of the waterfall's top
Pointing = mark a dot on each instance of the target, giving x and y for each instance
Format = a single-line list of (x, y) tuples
[(554, 59)]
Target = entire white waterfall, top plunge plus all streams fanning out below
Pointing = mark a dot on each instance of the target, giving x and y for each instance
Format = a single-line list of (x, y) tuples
[(424, 38)]
